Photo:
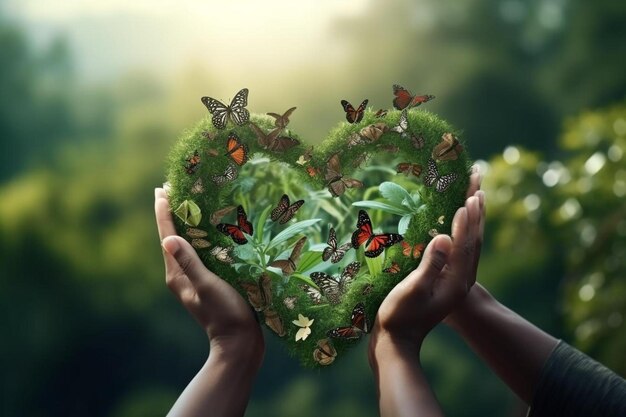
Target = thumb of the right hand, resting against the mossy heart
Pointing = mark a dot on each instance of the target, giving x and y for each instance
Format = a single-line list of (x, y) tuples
[(435, 257)]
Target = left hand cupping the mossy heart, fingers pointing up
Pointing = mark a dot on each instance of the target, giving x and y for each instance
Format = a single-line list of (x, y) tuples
[(225, 316)]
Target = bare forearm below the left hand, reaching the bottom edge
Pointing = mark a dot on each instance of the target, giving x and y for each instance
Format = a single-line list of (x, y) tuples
[(222, 386)]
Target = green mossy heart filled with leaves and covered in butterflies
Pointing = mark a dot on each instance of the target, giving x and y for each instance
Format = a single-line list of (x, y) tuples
[(296, 229)]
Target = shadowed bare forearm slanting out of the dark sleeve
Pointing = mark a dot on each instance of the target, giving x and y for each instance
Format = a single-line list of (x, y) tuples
[(514, 349)]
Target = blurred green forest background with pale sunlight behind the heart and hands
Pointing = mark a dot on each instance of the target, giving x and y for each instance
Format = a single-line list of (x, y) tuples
[(94, 93)]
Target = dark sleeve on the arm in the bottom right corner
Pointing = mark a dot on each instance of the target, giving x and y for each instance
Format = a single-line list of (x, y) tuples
[(572, 384)]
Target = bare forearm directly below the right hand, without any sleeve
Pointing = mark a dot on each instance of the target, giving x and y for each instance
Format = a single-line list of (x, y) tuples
[(402, 387)]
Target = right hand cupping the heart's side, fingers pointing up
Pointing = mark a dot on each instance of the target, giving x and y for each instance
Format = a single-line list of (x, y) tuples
[(442, 280)]
